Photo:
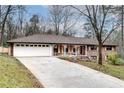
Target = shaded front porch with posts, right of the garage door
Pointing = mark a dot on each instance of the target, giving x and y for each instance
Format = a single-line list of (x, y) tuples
[(69, 50)]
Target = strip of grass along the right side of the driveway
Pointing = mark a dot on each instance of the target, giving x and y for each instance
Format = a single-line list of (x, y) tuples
[(113, 70)]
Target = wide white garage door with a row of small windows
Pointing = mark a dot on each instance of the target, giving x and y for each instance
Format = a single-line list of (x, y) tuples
[(32, 50)]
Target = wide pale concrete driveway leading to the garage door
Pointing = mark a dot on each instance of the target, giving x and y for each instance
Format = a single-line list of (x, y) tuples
[(53, 72)]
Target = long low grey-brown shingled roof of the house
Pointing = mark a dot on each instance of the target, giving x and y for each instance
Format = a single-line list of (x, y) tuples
[(54, 39)]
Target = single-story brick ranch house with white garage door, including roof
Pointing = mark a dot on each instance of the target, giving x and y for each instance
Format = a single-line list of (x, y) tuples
[(56, 45)]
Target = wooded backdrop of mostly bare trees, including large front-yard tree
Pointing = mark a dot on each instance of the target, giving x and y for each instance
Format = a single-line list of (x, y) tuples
[(103, 22)]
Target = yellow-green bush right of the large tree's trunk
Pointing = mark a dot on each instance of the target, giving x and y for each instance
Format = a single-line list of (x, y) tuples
[(112, 58)]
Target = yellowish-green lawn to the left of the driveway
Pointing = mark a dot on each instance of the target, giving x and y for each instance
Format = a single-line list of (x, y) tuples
[(15, 75)]
